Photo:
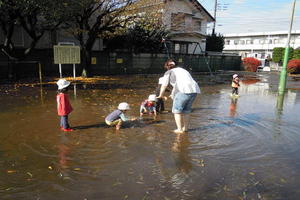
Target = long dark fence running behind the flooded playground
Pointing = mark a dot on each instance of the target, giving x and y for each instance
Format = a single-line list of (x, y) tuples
[(108, 63)]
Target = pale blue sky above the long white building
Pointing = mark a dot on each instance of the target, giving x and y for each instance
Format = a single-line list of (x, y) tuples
[(244, 16)]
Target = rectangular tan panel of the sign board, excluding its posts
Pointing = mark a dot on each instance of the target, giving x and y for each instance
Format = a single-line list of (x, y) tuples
[(65, 54)]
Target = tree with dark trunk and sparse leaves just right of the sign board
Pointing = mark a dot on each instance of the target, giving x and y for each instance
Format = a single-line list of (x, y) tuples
[(92, 19)]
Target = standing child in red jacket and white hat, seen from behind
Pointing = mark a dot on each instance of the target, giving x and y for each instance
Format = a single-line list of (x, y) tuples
[(64, 107)]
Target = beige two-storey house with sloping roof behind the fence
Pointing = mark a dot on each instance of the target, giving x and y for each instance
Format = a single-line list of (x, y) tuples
[(187, 20)]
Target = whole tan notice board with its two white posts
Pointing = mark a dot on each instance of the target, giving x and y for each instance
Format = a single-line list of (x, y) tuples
[(66, 53)]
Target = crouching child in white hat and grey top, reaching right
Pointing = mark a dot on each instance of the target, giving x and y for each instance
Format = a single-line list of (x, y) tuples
[(117, 117)]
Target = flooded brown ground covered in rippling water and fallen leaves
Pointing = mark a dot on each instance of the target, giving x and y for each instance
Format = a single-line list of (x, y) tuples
[(241, 148)]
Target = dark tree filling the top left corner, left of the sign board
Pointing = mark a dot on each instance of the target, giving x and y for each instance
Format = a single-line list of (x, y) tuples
[(33, 16)]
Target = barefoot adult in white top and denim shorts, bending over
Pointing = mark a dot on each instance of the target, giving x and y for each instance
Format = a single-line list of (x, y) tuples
[(185, 90)]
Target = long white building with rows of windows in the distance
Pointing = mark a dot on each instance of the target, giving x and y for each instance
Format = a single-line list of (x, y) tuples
[(259, 44)]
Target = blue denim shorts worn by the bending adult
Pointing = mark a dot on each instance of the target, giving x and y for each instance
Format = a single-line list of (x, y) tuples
[(182, 103)]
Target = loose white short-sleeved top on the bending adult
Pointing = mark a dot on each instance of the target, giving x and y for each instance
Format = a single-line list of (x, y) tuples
[(181, 81)]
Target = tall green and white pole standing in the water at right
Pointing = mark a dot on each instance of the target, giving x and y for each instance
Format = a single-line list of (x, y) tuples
[(282, 81)]
